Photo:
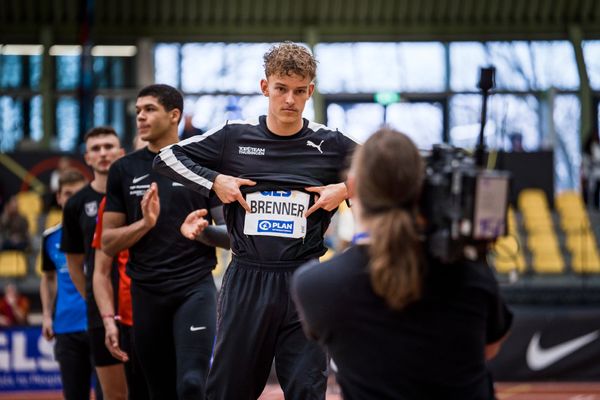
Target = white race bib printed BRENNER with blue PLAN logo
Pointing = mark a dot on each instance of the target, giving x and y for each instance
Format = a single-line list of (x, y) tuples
[(277, 213)]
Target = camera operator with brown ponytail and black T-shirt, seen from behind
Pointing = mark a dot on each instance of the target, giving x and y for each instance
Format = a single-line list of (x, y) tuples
[(397, 323)]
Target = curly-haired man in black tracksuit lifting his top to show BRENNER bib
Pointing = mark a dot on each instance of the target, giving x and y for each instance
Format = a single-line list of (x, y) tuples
[(279, 178)]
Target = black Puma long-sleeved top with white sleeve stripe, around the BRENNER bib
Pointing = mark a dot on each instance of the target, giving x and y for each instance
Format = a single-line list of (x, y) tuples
[(282, 166)]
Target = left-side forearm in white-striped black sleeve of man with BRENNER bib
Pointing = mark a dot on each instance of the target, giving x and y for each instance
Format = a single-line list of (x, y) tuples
[(175, 163)]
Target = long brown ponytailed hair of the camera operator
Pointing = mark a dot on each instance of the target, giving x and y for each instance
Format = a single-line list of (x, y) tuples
[(389, 173)]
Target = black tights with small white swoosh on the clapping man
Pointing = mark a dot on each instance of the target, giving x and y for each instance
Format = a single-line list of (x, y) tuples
[(174, 336)]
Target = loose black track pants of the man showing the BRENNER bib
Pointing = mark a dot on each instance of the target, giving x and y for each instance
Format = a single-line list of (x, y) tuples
[(257, 321)]
